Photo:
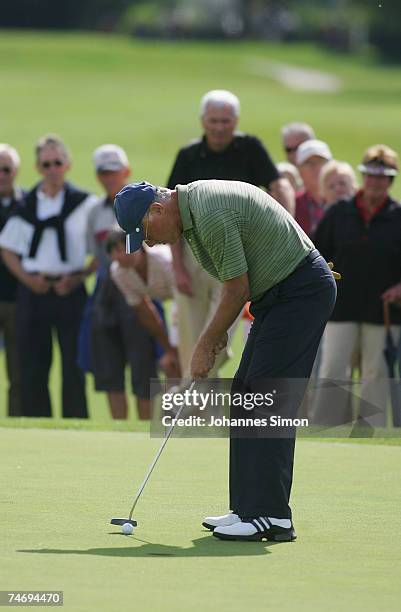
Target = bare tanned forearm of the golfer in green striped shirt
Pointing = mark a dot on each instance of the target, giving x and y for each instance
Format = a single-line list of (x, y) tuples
[(234, 295)]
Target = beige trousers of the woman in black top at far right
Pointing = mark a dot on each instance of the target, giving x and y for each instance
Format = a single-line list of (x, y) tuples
[(340, 342)]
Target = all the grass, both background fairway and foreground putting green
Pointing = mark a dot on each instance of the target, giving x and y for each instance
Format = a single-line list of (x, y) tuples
[(62, 480)]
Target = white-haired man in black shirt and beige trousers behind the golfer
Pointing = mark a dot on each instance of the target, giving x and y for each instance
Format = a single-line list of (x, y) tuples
[(221, 153)]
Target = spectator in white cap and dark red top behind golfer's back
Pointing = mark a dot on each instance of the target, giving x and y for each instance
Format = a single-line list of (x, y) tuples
[(312, 155)]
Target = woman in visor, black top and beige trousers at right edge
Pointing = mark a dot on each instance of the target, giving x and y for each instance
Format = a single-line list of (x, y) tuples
[(362, 236)]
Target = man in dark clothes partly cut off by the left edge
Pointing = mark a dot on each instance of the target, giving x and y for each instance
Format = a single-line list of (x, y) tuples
[(10, 197)]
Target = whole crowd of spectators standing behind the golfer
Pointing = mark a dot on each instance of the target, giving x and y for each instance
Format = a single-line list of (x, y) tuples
[(55, 235)]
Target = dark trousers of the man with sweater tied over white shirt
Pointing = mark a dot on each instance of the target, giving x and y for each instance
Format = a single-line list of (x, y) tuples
[(37, 317)]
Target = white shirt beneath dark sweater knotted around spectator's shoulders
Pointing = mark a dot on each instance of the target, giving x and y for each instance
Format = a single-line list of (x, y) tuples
[(17, 236)]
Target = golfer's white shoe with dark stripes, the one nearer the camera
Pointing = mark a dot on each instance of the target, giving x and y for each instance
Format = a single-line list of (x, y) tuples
[(256, 529)]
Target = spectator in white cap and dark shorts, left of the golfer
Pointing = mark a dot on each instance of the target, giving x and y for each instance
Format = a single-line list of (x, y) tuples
[(117, 336)]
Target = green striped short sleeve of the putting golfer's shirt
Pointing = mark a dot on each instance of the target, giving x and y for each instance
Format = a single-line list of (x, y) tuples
[(223, 242)]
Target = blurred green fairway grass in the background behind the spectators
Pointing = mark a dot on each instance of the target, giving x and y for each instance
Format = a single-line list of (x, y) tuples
[(144, 95)]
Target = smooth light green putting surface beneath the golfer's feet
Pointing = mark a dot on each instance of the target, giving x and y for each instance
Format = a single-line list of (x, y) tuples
[(60, 488)]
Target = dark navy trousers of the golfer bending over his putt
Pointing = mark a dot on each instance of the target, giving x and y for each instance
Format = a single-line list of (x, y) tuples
[(283, 342)]
